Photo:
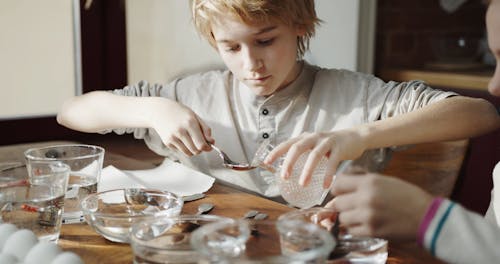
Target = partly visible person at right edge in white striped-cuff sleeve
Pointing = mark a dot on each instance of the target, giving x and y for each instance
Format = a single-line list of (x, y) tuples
[(377, 205)]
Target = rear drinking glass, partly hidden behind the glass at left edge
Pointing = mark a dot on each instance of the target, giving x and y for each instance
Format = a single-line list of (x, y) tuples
[(85, 162)]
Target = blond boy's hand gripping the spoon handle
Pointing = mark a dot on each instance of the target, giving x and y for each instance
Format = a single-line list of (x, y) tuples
[(181, 129)]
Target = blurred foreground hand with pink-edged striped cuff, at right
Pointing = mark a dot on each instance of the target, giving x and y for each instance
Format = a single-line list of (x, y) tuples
[(374, 205)]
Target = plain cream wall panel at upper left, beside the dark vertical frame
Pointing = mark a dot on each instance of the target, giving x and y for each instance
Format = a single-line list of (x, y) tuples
[(37, 65)]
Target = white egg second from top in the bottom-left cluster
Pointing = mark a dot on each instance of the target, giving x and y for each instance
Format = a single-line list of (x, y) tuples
[(19, 243)]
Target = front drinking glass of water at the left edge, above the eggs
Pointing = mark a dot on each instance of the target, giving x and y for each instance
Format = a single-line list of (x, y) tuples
[(35, 202)]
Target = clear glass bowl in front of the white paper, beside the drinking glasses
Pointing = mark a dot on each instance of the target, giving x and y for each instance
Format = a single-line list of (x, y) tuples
[(112, 213)]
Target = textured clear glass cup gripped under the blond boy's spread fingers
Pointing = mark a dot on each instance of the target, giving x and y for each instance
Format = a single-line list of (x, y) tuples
[(294, 193)]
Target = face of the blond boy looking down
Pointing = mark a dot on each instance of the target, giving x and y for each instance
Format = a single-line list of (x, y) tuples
[(262, 56)]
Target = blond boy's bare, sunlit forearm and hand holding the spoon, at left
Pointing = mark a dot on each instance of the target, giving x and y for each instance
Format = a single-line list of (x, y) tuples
[(178, 126)]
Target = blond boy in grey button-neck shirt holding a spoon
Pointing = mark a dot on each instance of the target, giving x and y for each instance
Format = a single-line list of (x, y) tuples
[(269, 92)]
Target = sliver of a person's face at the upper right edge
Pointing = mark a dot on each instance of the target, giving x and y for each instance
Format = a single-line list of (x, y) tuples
[(493, 26)]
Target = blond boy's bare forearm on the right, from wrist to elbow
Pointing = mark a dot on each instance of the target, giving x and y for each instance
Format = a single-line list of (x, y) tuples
[(453, 118)]
